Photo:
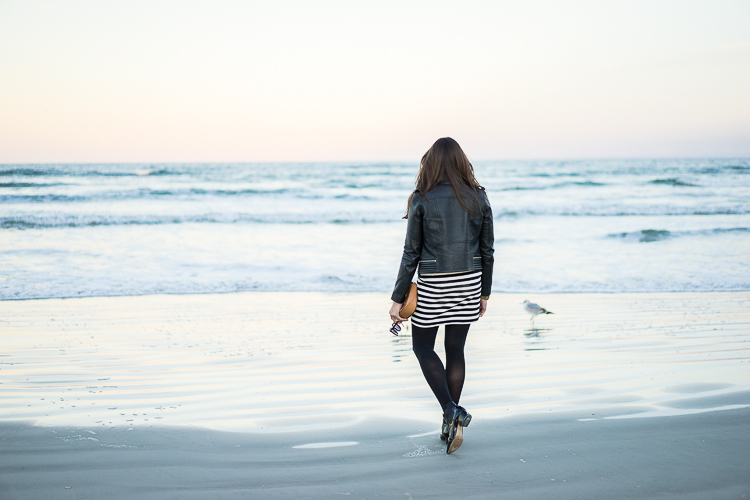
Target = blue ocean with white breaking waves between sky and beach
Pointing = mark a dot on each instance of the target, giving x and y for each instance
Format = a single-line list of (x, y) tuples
[(78, 230)]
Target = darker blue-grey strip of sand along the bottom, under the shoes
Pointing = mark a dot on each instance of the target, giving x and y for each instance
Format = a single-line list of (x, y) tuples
[(703, 456)]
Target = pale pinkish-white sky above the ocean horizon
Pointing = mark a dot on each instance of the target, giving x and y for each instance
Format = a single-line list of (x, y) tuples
[(170, 81)]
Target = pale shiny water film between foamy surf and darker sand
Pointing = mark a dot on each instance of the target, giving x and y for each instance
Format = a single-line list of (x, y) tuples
[(268, 362)]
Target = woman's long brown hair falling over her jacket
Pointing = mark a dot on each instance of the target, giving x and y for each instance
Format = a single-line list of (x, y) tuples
[(446, 160)]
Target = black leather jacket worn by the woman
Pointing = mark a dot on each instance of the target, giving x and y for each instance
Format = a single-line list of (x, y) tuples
[(442, 237)]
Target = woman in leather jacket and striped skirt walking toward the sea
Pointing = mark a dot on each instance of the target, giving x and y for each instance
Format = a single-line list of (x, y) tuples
[(449, 237)]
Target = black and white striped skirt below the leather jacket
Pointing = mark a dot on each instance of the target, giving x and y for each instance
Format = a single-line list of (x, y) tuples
[(447, 299)]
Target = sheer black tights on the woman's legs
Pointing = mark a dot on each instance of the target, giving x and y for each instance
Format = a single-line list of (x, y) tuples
[(446, 382)]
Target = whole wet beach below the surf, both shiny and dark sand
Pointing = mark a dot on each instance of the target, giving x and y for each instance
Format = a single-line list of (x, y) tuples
[(217, 396)]
